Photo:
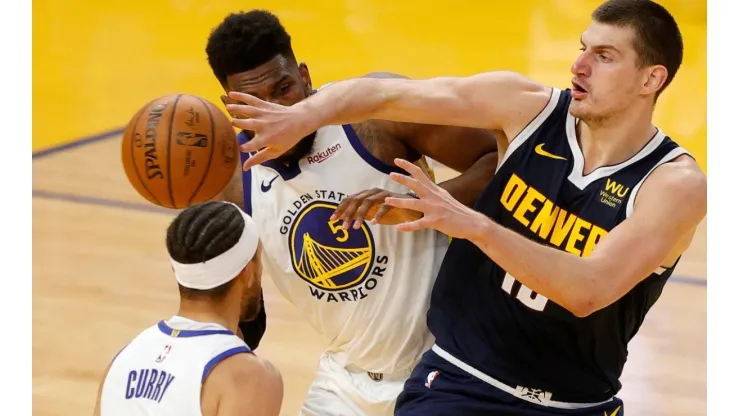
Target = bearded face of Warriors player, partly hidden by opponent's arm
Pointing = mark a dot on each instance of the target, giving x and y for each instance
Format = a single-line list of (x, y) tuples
[(279, 81)]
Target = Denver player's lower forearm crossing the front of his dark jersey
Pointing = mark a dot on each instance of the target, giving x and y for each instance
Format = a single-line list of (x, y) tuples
[(564, 278)]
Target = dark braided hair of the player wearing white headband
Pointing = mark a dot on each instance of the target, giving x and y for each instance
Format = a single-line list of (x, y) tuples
[(200, 233)]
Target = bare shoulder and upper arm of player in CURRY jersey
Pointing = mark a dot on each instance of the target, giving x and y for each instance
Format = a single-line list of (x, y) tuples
[(242, 384)]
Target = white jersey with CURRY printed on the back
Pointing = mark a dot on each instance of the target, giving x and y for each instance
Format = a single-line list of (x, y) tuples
[(160, 372)]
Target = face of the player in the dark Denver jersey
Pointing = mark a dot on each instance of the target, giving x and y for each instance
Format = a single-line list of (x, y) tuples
[(606, 78)]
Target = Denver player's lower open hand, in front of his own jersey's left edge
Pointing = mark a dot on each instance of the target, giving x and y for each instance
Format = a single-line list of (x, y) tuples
[(440, 210)]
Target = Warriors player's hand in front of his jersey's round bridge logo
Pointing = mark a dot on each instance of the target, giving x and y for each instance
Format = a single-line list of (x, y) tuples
[(370, 205)]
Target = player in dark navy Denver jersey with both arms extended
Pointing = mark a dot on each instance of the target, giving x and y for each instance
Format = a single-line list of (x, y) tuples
[(554, 269)]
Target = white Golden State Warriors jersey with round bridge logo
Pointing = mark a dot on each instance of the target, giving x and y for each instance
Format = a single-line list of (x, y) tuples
[(366, 290)]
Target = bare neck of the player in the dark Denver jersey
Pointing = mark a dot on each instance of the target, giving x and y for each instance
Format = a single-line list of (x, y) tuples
[(614, 140)]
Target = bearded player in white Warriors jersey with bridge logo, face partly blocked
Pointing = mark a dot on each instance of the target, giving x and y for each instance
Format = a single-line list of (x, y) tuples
[(364, 287)]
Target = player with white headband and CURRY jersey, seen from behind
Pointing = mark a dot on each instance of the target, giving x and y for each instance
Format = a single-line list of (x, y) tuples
[(194, 363)]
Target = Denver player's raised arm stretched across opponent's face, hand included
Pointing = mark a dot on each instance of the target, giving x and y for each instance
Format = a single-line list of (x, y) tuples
[(504, 101)]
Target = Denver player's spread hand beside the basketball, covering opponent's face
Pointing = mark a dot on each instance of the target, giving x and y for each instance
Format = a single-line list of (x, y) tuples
[(277, 128)]
